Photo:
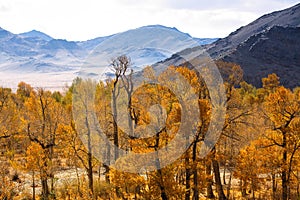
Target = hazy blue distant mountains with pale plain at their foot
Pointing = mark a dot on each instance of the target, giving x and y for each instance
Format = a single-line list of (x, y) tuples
[(43, 61)]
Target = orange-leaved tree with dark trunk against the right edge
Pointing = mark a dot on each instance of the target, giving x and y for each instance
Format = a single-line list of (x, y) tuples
[(283, 109)]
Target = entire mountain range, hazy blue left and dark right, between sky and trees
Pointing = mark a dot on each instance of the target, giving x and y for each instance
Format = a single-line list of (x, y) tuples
[(270, 44)]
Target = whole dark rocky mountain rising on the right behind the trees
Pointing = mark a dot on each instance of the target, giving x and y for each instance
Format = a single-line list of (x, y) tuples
[(270, 44)]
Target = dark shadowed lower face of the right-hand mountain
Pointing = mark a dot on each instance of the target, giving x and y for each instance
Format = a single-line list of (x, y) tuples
[(277, 50)]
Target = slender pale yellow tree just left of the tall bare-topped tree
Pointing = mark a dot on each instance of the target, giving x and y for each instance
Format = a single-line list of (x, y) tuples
[(83, 108)]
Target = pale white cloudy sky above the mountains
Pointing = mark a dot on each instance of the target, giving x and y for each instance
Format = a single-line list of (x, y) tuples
[(80, 20)]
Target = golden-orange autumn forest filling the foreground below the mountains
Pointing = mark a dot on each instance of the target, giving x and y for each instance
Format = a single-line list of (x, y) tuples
[(48, 149)]
